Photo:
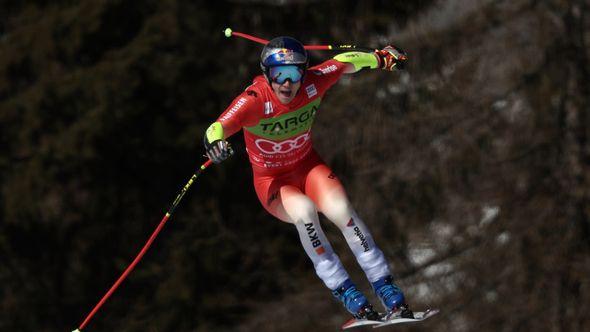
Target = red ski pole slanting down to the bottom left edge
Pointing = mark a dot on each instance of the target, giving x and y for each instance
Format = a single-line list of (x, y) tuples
[(146, 246)]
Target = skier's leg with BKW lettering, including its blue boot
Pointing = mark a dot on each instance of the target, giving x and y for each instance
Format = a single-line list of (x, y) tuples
[(289, 204)]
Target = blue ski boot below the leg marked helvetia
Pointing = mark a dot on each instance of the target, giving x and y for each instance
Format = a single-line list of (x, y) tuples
[(392, 298)]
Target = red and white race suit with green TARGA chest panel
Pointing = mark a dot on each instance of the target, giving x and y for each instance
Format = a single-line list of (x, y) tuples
[(291, 180)]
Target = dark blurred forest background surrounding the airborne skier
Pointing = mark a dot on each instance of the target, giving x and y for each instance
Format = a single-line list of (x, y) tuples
[(471, 168)]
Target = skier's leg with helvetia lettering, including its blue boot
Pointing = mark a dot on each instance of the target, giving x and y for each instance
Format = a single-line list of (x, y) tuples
[(324, 188)]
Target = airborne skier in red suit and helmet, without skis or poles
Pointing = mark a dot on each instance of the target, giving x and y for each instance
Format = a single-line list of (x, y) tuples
[(292, 182)]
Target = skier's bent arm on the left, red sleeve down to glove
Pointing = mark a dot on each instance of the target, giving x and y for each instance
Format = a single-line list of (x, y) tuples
[(229, 122)]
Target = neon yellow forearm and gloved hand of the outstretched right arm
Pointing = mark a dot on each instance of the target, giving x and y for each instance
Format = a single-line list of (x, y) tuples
[(389, 58)]
